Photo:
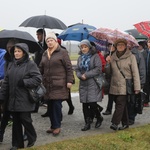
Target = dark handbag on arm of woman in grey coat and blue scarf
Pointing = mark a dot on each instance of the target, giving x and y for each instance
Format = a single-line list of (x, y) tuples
[(101, 81)]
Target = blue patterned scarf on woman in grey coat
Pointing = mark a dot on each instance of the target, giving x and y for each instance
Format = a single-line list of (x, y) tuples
[(85, 63)]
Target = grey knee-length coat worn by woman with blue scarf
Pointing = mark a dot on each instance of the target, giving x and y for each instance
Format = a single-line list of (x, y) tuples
[(88, 89)]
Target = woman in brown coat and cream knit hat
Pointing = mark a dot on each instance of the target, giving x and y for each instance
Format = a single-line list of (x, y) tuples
[(57, 72)]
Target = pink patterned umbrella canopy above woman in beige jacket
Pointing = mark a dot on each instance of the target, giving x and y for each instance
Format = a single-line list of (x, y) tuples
[(111, 36)]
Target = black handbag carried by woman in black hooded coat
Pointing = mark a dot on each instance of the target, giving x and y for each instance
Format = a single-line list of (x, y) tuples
[(37, 93)]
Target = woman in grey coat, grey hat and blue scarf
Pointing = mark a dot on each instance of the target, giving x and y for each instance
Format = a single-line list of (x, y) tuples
[(88, 66)]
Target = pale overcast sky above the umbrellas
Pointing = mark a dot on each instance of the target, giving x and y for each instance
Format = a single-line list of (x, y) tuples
[(121, 14)]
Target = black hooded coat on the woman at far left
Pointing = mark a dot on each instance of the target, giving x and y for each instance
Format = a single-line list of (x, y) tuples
[(18, 100)]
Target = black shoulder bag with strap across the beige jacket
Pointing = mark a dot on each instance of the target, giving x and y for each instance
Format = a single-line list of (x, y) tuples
[(129, 82)]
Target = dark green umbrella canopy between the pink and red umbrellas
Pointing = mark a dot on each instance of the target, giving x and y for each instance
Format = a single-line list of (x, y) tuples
[(137, 35)]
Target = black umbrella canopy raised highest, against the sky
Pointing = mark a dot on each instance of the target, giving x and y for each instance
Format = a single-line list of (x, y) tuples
[(44, 21)]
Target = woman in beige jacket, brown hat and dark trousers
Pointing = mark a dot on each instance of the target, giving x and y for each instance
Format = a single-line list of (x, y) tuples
[(122, 65)]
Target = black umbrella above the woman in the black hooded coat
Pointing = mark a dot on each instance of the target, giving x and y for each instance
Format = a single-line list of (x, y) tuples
[(21, 36)]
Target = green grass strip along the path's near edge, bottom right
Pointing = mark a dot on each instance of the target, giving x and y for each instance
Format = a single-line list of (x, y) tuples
[(129, 139)]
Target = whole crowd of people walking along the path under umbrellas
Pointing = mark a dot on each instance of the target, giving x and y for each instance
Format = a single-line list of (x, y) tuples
[(52, 66)]
